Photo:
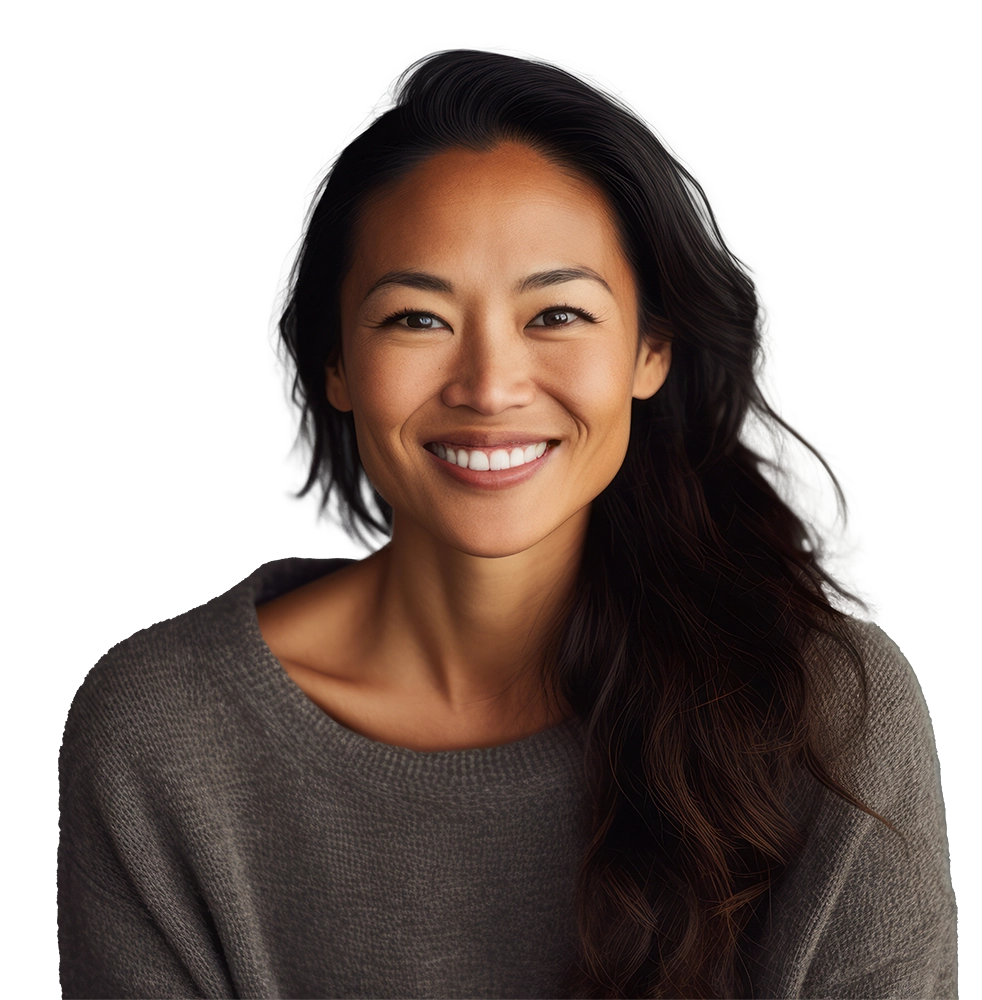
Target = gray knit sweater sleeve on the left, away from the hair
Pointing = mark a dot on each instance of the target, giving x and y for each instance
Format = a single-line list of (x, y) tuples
[(130, 921)]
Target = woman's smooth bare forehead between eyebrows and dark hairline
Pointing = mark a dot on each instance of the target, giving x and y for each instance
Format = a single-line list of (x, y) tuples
[(486, 208)]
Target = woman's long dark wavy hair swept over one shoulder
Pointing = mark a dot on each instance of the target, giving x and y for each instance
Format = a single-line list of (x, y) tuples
[(682, 646)]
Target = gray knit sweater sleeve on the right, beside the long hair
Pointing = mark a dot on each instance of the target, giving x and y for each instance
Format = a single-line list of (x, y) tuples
[(884, 911)]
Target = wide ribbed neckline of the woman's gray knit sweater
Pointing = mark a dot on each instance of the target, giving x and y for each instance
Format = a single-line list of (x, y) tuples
[(303, 727)]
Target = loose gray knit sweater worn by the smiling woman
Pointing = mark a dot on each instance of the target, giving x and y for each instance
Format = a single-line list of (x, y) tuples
[(221, 837)]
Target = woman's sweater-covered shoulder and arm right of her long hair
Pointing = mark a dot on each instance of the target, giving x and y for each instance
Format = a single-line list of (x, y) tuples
[(867, 907)]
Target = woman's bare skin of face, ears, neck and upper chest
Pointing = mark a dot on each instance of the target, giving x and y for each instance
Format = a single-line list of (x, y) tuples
[(421, 644)]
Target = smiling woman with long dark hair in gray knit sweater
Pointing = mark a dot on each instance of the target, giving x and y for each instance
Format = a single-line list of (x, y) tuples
[(596, 720)]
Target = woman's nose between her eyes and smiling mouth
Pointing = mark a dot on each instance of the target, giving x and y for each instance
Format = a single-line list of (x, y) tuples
[(491, 370)]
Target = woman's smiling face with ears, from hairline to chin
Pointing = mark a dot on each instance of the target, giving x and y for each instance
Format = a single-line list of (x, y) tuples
[(490, 303)]
